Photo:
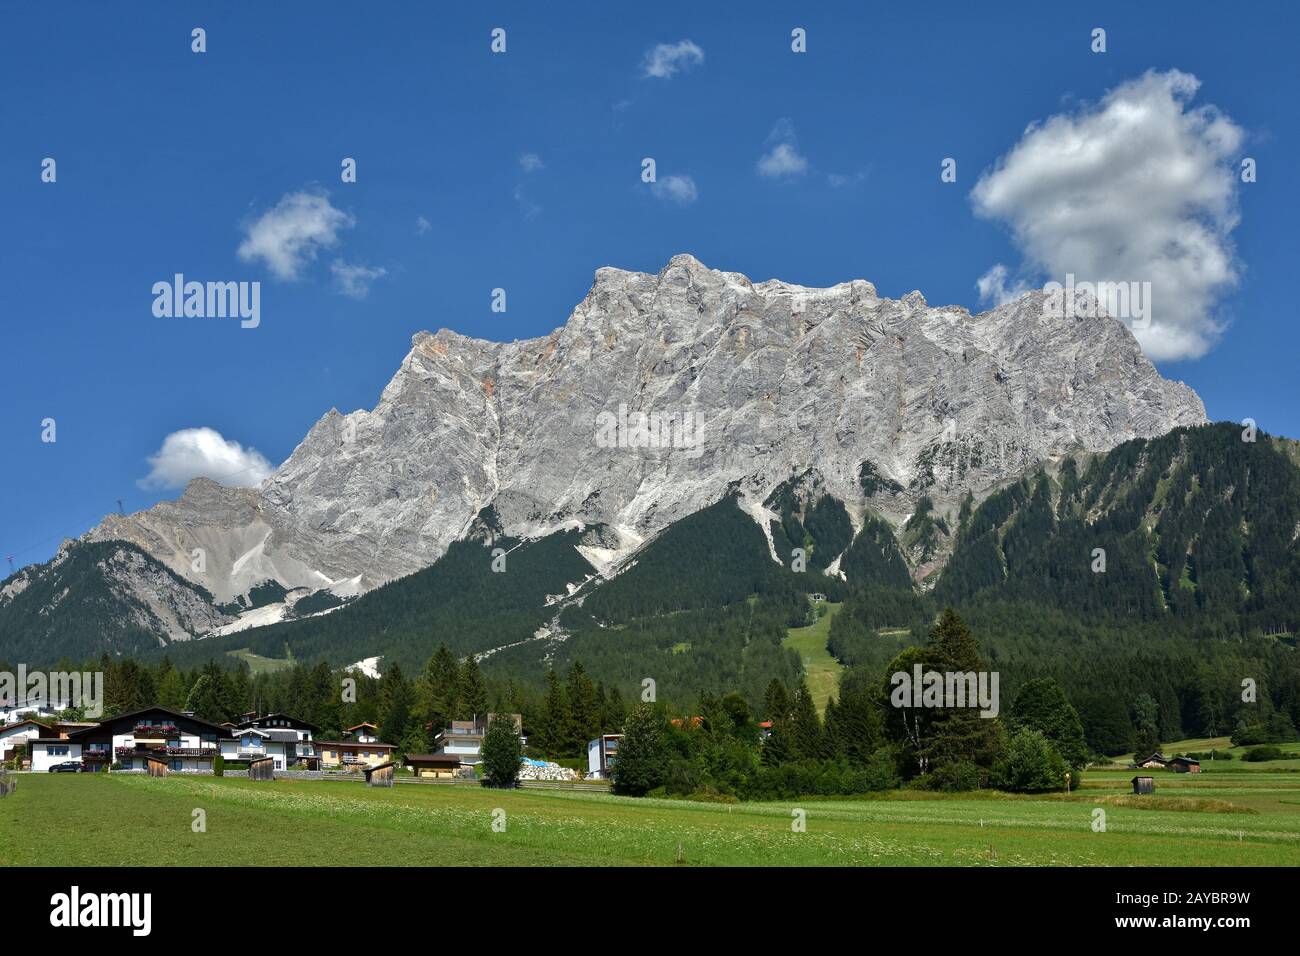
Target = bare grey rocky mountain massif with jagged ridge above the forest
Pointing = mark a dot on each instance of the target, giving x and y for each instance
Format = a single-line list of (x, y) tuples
[(661, 395)]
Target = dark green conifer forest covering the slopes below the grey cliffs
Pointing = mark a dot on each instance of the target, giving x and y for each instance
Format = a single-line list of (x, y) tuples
[(1124, 599)]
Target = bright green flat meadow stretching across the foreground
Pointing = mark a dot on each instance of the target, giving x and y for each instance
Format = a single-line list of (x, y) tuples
[(1232, 819)]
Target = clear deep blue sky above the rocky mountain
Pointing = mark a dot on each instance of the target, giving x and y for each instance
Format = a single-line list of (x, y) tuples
[(167, 159)]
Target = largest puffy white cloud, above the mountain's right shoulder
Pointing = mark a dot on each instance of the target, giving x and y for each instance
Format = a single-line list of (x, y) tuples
[(1139, 188)]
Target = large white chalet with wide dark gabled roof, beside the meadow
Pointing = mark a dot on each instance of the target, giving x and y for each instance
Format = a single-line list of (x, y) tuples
[(184, 742)]
